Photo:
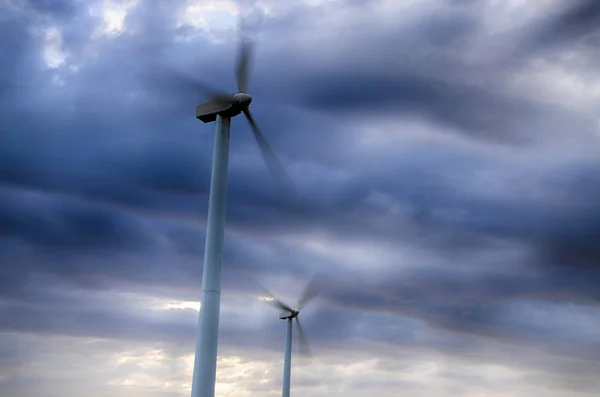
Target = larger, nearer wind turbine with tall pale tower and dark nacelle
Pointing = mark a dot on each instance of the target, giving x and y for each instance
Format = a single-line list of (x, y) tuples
[(221, 108)]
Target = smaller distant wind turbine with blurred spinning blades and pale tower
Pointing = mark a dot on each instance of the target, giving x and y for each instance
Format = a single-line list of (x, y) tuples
[(289, 315)]
